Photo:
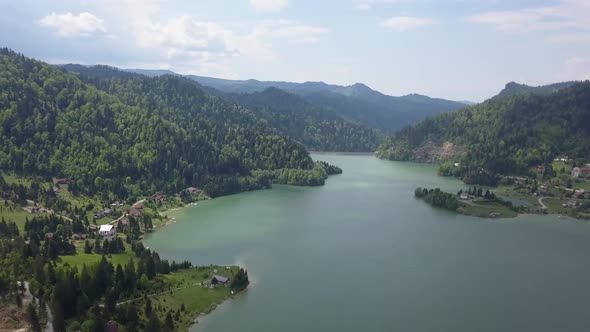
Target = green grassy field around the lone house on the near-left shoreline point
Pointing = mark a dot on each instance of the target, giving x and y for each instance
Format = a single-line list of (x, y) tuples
[(196, 298)]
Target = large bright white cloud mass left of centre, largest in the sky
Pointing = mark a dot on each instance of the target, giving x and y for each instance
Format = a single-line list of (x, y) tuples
[(191, 45)]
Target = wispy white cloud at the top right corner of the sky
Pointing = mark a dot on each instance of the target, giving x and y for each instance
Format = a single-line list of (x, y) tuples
[(566, 21)]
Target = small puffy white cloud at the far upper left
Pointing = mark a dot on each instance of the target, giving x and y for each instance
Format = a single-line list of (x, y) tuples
[(69, 25)]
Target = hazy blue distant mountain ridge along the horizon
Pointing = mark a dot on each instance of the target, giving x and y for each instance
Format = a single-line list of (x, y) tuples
[(357, 103)]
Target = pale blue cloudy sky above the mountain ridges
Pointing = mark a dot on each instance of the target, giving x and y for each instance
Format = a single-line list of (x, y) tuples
[(456, 49)]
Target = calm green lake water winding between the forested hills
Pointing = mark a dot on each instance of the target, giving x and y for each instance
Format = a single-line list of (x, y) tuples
[(361, 254)]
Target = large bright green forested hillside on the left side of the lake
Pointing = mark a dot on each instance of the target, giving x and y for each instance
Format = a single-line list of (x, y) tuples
[(107, 130)]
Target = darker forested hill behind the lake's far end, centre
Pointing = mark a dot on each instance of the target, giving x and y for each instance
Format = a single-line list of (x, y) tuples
[(318, 129)]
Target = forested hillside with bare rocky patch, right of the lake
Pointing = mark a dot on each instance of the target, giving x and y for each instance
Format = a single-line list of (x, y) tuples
[(500, 136)]
